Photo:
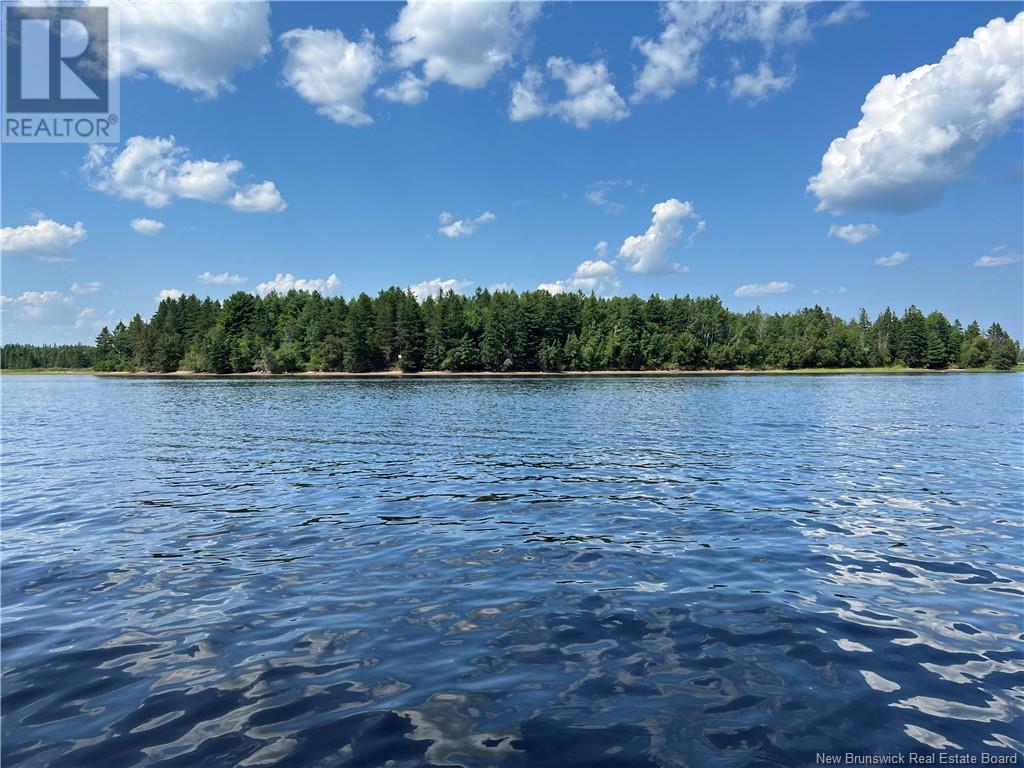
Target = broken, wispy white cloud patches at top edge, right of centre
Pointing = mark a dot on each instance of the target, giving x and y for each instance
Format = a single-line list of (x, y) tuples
[(673, 60)]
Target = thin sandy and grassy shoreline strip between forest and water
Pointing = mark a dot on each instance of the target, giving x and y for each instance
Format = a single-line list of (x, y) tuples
[(395, 374)]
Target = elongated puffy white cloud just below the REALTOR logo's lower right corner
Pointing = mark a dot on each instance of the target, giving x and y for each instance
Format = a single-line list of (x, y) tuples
[(157, 170)]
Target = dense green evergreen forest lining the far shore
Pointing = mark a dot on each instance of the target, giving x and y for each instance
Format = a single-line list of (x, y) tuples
[(509, 331)]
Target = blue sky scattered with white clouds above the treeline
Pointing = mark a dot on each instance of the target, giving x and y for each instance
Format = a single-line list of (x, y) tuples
[(779, 156)]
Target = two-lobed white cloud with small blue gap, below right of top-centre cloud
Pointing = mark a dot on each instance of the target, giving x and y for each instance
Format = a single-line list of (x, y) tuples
[(590, 96)]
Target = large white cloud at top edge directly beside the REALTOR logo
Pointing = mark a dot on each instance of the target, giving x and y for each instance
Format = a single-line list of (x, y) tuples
[(200, 47)]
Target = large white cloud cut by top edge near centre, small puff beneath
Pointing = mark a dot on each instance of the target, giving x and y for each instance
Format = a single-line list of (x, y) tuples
[(462, 44)]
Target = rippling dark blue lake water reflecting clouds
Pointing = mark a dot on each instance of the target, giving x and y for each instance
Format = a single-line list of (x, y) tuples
[(582, 572)]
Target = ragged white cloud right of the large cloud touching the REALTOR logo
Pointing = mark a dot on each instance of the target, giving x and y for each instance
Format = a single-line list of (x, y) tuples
[(332, 73)]
